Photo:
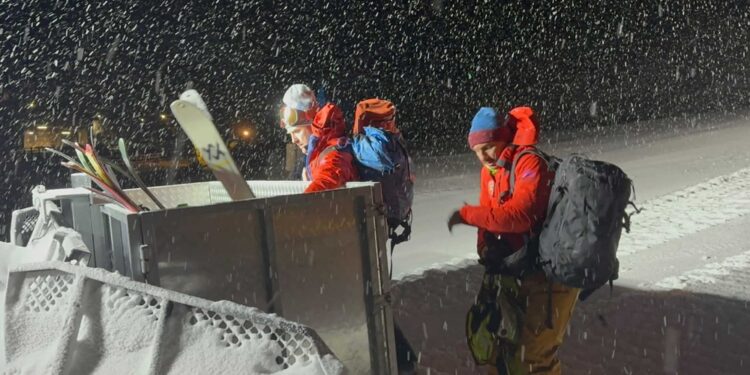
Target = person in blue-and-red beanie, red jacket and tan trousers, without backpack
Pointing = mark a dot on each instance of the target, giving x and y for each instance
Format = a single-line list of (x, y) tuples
[(505, 219)]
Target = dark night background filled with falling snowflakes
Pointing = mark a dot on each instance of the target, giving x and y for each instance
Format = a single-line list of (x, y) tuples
[(578, 63)]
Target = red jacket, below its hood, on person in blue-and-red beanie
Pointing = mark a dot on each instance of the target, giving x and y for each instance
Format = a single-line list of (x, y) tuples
[(511, 216)]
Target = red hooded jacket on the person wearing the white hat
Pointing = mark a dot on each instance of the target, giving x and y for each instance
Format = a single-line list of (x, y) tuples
[(329, 165)]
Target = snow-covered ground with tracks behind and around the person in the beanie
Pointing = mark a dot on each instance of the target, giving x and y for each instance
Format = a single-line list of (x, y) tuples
[(693, 184)]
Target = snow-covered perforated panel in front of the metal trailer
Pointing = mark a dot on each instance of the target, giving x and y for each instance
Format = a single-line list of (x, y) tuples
[(85, 321)]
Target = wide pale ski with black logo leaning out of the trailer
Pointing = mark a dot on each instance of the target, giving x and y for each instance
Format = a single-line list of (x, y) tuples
[(192, 115)]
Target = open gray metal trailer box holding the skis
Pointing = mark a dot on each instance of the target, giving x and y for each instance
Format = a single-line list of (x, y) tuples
[(316, 259)]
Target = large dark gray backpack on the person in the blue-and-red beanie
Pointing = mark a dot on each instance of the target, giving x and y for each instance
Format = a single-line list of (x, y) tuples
[(577, 243)]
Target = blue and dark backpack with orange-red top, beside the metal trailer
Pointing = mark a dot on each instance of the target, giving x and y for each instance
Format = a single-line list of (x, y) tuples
[(382, 156)]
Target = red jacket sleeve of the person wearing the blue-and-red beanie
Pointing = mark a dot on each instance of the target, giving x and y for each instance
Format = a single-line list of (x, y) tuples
[(524, 209)]
